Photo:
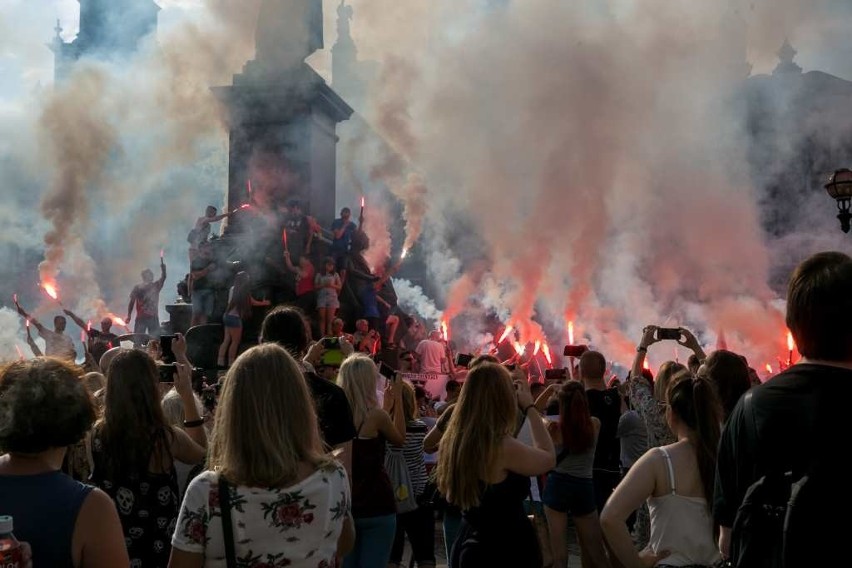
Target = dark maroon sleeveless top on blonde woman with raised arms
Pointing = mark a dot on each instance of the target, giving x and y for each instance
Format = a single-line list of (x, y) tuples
[(372, 492)]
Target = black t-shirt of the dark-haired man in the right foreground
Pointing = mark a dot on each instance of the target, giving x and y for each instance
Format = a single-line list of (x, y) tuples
[(785, 414)]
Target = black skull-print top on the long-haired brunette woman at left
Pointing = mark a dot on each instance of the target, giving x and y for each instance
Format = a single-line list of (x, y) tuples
[(147, 505)]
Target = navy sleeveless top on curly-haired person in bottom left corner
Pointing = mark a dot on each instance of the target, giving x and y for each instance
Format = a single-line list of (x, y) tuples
[(44, 507)]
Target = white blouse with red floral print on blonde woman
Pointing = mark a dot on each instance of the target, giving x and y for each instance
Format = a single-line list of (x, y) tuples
[(296, 526)]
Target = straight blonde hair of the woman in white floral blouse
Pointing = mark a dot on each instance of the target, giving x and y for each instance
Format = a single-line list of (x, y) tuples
[(265, 421)]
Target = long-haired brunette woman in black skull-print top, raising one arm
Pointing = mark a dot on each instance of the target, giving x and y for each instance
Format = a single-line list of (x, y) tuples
[(134, 450)]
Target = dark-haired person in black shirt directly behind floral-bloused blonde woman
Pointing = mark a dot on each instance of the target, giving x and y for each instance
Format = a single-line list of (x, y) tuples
[(286, 326)]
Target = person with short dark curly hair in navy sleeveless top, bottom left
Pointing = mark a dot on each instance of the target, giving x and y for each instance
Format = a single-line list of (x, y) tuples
[(44, 408)]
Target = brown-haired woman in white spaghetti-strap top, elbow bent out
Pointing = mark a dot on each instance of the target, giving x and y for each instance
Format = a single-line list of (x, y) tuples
[(677, 482)]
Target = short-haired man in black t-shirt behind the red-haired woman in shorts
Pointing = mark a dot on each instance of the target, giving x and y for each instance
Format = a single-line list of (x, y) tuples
[(605, 405)]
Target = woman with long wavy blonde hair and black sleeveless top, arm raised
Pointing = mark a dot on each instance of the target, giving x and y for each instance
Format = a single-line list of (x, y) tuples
[(485, 471)]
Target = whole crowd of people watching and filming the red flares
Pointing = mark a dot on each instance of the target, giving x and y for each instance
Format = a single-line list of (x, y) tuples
[(302, 453)]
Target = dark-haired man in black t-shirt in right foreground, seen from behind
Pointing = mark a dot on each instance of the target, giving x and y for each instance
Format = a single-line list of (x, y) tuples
[(799, 415)]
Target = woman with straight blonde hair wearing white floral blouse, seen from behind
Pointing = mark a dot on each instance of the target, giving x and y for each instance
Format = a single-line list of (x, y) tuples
[(289, 502)]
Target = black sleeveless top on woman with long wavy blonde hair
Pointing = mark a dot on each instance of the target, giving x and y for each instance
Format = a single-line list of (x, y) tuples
[(498, 532)]
